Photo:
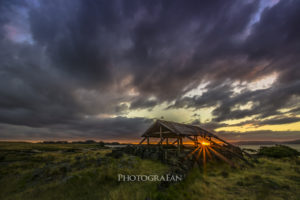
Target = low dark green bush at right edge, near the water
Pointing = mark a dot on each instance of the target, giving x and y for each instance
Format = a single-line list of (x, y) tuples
[(278, 151)]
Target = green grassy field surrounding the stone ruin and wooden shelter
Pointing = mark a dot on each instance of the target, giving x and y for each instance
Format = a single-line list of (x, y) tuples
[(83, 171)]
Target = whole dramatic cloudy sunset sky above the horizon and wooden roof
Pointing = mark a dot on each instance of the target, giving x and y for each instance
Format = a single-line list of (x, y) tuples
[(105, 69)]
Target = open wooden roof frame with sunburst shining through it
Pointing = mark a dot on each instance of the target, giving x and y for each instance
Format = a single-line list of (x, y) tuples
[(202, 143)]
